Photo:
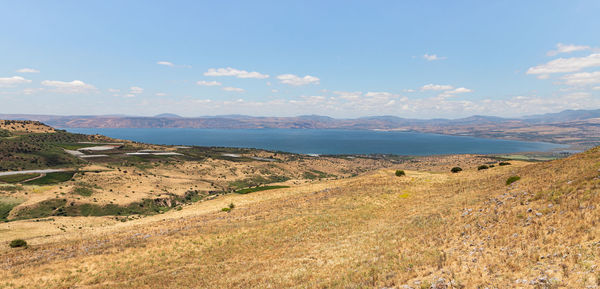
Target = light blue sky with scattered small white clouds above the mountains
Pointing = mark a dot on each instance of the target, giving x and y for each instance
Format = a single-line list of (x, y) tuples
[(418, 59)]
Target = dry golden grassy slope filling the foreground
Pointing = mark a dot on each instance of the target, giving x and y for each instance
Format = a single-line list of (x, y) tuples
[(463, 230)]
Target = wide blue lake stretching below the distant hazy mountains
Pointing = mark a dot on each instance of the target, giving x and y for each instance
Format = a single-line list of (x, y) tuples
[(323, 141)]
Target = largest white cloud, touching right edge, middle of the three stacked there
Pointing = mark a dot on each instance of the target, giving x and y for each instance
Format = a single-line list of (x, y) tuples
[(562, 65)]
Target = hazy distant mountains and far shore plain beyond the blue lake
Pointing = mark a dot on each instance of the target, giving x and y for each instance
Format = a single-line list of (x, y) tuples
[(581, 127)]
